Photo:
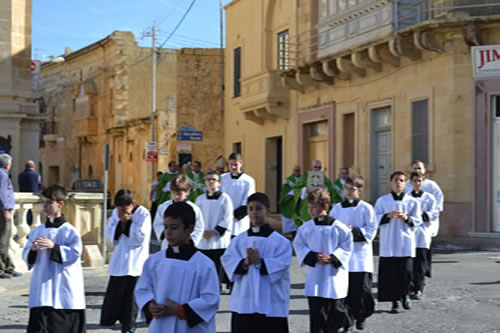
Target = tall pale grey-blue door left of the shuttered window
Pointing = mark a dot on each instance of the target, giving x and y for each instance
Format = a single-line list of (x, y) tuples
[(381, 151)]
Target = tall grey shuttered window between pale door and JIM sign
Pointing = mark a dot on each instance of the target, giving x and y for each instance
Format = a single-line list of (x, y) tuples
[(420, 130)]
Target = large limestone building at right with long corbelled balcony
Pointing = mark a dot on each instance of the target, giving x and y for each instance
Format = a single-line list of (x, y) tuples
[(375, 84)]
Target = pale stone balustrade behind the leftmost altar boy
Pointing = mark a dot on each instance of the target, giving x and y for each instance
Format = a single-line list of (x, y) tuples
[(83, 210)]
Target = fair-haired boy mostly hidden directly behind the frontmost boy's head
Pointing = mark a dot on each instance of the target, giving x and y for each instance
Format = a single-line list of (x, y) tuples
[(180, 187)]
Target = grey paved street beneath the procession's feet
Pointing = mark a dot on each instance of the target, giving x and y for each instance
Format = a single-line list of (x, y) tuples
[(463, 296)]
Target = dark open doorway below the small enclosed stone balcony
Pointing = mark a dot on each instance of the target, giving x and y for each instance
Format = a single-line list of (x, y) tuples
[(274, 170)]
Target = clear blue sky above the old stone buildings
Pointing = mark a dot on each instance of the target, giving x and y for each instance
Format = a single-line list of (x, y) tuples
[(57, 24)]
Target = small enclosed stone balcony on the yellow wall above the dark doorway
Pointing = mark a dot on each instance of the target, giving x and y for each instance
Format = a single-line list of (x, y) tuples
[(263, 97)]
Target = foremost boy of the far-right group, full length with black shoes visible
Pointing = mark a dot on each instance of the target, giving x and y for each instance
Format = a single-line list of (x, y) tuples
[(399, 215)]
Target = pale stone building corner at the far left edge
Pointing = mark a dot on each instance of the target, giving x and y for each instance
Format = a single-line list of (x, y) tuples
[(19, 114)]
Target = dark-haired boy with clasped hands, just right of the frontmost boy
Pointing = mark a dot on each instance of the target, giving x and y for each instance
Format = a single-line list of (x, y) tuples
[(258, 263)]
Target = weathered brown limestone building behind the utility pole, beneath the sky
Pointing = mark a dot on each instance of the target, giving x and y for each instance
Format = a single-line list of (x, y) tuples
[(101, 94)]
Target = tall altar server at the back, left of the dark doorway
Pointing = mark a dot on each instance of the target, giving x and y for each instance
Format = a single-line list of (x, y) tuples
[(239, 186)]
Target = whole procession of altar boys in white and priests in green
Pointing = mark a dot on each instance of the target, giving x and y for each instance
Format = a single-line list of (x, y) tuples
[(216, 238)]
